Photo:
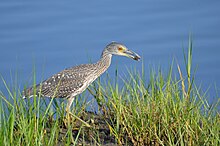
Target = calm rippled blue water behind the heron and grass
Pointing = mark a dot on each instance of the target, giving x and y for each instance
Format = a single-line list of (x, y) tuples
[(53, 35)]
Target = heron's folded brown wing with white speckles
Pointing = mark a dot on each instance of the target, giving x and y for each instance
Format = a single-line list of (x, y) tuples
[(65, 83)]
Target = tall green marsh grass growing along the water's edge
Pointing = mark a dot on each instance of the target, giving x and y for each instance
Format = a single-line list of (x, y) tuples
[(169, 109)]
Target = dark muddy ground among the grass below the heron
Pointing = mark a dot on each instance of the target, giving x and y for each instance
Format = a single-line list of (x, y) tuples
[(97, 134)]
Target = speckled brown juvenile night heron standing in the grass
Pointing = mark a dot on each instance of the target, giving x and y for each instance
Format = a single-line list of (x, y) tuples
[(73, 81)]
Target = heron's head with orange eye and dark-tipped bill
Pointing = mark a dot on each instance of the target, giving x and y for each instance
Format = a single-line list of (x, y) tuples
[(121, 50)]
